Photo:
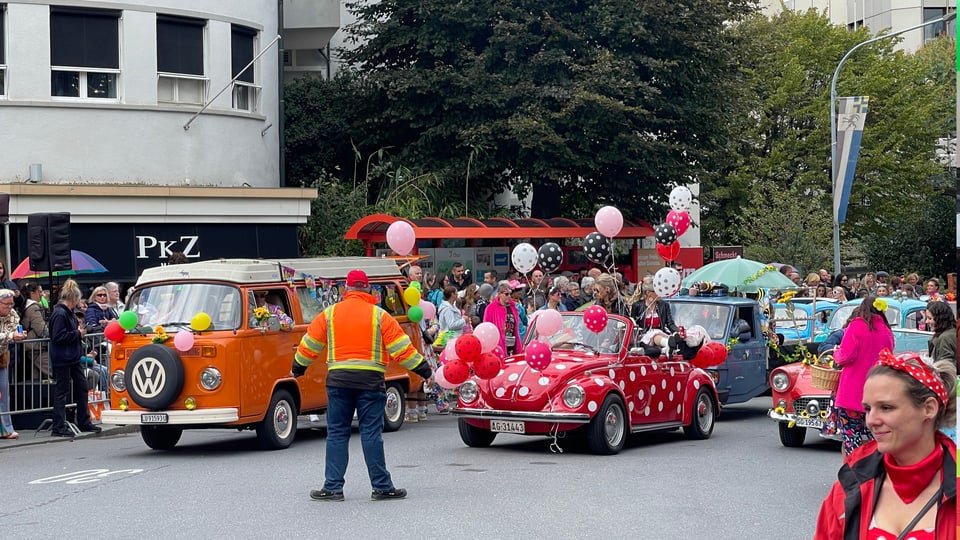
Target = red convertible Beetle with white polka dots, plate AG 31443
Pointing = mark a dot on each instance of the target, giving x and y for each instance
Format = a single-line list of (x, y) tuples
[(595, 385)]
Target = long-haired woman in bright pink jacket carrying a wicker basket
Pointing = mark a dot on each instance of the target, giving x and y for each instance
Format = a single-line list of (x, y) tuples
[(868, 333)]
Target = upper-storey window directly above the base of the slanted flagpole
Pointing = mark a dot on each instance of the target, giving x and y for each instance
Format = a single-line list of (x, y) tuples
[(180, 60)]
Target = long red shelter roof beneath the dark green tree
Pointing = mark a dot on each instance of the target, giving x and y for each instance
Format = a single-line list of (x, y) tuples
[(373, 228)]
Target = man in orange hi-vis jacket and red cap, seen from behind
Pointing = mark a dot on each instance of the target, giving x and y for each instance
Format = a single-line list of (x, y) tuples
[(358, 338)]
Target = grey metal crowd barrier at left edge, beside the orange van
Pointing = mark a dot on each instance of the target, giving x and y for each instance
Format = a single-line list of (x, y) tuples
[(32, 385)]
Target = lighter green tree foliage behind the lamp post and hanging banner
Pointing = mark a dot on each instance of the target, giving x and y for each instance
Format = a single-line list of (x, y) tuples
[(776, 180)]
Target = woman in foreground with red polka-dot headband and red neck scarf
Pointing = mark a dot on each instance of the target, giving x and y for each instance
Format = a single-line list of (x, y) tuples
[(902, 484)]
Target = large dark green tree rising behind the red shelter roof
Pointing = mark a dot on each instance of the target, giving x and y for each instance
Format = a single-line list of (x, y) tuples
[(611, 98)]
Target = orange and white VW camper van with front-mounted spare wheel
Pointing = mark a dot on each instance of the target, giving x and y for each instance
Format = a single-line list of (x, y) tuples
[(168, 374)]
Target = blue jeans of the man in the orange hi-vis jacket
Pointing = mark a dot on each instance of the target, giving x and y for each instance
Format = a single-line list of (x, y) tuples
[(369, 404)]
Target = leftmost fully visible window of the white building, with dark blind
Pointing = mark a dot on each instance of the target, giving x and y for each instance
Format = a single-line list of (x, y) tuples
[(84, 53)]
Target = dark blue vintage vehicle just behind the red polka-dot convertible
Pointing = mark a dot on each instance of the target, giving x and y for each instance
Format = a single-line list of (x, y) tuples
[(737, 323)]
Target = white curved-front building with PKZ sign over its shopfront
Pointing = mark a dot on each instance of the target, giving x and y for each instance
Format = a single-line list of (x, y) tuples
[(139, 118)]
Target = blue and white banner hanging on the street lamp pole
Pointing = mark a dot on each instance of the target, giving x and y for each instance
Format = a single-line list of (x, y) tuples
[(850, 119)]
